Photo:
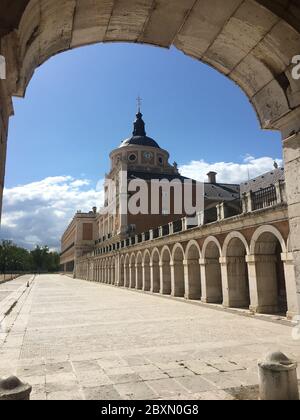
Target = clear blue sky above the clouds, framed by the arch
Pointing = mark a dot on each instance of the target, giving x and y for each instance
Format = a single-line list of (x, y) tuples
[(81, 104)]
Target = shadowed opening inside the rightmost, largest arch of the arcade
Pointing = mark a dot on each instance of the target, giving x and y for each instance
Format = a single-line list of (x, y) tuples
[(270, 275)]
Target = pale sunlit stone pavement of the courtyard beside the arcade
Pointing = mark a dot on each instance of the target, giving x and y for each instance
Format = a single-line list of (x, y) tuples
[(72, 339)]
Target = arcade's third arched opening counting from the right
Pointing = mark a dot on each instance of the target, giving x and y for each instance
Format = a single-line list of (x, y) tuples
[(212, 275)]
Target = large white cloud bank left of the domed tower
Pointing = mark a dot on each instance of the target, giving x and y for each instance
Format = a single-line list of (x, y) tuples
[(38, 213)]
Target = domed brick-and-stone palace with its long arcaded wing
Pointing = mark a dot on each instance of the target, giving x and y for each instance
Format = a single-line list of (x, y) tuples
[(234, 250)]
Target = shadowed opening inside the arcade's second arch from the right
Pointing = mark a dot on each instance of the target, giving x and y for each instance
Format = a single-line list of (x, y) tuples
[(237, 275)]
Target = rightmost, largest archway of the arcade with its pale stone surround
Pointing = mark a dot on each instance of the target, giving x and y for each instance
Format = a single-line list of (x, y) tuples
[(267, 274)]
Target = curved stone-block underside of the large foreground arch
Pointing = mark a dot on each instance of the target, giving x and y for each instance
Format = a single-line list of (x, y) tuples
[(251, 42)]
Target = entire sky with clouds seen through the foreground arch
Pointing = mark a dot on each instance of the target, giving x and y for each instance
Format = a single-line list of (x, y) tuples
[(81, 104)]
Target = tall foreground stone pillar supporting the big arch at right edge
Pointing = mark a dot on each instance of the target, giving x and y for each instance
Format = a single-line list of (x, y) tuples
[(290, 129)]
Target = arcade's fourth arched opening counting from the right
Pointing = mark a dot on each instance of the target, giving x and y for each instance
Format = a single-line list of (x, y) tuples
[(193, 283)]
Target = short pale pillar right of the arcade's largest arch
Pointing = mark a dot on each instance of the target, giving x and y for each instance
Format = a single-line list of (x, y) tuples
[(290, 282)]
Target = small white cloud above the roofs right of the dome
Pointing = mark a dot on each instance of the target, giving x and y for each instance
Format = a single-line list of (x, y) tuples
[(229, 172)]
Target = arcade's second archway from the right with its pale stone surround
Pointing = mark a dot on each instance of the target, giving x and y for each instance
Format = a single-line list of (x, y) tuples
[(235, 272)]
